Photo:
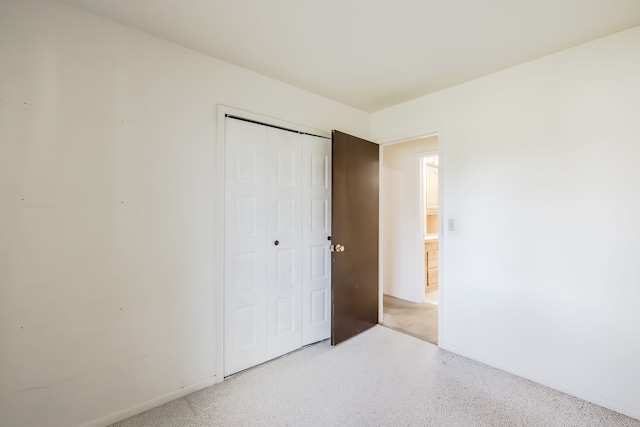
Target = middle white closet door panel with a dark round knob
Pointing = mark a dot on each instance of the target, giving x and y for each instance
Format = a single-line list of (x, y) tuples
[(284, 259)]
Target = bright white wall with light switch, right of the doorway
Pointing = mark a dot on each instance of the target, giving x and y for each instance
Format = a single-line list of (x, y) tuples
[(536, 159)]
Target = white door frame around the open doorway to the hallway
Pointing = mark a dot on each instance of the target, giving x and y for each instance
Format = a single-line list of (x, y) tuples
[(439, 130)]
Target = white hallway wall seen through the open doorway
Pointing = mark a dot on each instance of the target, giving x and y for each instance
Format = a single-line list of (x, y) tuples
[(403, 226)]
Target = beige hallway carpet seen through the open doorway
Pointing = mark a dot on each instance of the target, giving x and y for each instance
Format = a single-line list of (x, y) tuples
[(418, 320)]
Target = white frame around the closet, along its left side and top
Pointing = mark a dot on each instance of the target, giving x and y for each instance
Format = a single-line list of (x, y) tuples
[(219, 216)]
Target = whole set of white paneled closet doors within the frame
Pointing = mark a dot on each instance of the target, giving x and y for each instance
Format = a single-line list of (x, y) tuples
[(277, 230)]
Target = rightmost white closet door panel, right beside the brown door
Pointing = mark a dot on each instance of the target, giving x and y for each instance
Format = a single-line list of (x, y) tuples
[(316, 268)]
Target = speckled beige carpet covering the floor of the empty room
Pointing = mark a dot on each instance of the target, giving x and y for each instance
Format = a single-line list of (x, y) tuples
[(379, 378)]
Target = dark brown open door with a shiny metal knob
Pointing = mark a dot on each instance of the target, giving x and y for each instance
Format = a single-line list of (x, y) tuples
[(354, 230)]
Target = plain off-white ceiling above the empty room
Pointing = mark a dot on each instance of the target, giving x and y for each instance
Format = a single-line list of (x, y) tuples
[(372, 54)]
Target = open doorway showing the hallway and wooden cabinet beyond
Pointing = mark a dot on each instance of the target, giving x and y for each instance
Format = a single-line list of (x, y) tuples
[(410, 239)]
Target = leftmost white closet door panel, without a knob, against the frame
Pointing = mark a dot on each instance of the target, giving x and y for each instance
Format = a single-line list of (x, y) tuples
[(245, 251)]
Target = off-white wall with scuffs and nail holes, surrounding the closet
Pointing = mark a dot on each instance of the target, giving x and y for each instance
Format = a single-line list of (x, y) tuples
[(107, 192)]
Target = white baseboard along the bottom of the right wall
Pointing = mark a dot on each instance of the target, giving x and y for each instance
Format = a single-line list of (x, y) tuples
[(579, 393)]
